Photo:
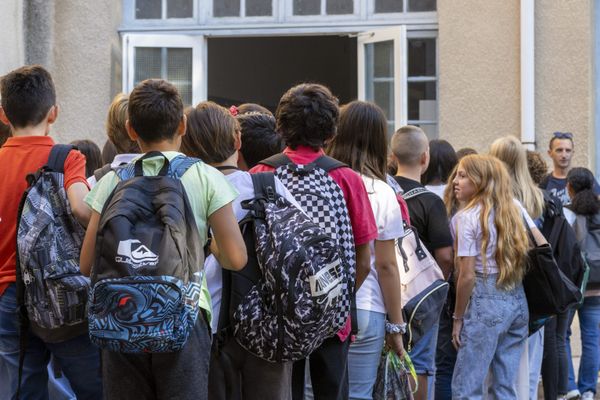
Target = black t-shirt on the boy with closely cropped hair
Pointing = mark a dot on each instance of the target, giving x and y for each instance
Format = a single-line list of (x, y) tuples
[(427, 215)]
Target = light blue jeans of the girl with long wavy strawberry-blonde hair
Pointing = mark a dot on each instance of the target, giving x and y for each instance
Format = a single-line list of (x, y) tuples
[(493, 337)]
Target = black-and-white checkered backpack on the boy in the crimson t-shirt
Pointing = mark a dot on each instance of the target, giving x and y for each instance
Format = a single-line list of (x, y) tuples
[(323, 200)]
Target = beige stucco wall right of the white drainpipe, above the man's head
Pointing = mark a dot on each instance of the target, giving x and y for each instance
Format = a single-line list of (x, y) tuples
[(564, 74)]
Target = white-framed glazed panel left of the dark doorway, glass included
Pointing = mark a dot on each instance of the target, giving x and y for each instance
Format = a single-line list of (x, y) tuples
[(175, 58)]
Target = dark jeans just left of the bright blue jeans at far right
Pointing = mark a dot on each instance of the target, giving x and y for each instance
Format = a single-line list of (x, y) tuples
[(555, 366)]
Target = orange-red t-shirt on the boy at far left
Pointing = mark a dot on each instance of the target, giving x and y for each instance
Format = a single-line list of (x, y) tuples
[(20, 156)]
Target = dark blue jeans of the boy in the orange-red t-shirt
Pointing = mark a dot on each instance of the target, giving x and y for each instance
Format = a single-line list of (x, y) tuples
[(78, 359)]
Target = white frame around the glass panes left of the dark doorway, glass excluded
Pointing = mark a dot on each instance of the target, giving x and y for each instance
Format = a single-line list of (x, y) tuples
[(196, 42)]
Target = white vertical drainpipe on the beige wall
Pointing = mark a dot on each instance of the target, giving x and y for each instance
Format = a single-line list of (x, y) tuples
[(528, 74)]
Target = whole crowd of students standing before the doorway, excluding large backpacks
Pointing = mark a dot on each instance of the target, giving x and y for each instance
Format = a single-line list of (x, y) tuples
[(472, 214)]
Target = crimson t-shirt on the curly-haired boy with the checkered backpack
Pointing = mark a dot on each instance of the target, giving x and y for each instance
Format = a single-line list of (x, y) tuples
[(355, 193)]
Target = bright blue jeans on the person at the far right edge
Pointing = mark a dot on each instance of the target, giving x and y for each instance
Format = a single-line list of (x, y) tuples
[(589, 323)]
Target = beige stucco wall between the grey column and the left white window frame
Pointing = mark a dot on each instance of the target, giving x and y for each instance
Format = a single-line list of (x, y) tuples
[(86, 49)]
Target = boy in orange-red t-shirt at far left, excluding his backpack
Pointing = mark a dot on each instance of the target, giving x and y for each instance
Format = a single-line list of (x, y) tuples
[(29, 108)]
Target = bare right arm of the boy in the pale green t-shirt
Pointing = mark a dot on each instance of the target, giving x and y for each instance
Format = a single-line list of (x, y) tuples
[(227, 238)]
